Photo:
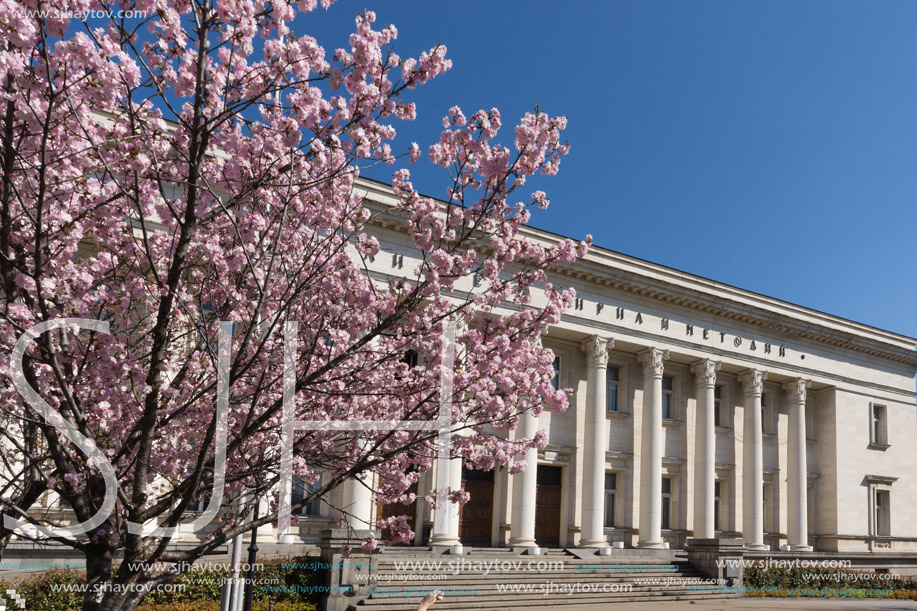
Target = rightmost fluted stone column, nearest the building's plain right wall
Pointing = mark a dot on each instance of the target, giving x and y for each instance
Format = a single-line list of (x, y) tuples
[(797, 476)]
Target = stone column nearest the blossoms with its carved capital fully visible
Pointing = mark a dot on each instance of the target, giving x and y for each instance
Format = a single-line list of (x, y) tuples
[(596, 443)]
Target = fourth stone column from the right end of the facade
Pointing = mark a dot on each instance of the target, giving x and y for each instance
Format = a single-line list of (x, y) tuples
[(652, 441)]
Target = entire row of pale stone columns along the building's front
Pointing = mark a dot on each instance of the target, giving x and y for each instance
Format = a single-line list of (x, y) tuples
[(357, 497)]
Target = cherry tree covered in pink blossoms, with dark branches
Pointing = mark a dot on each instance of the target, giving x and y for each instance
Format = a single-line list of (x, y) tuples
[(195, 162)]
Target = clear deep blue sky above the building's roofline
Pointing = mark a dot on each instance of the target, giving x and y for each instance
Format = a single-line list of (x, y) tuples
[(769, 145)]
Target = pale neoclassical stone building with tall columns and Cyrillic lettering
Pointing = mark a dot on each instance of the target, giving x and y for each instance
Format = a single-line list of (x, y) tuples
[(698, 410)]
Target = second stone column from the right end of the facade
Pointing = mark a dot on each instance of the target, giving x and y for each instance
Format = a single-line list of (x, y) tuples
[(752, 381)]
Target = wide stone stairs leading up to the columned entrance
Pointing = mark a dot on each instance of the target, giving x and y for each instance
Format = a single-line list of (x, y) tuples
[(501, 578)]
